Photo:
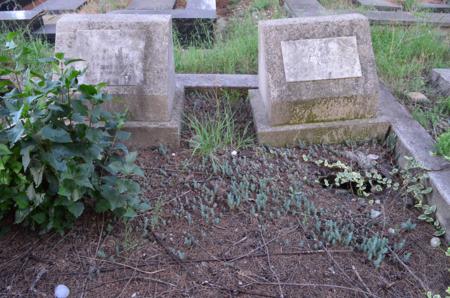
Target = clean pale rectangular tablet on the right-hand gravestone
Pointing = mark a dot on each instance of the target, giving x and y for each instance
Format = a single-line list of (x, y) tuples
[(321, 59)]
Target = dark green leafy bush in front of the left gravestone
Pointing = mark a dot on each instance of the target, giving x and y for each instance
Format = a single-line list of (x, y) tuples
[(60, 151)]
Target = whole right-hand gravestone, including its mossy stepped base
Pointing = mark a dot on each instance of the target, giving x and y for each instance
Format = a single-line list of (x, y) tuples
[(318, 69)]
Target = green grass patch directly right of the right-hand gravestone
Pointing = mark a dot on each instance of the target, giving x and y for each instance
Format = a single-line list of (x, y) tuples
[(405, 55)]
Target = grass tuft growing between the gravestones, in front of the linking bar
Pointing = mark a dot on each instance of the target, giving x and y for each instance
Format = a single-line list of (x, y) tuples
[(218, 132)]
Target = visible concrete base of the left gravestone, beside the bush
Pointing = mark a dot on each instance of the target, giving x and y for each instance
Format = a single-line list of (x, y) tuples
[(152, 134)]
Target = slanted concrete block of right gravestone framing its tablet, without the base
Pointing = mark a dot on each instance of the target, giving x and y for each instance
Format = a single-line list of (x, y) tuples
[(317, 100)]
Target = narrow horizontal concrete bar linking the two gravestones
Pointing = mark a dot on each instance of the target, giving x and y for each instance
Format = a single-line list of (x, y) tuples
[(217, 81)]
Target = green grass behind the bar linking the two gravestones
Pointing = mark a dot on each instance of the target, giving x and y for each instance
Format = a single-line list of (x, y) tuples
[(235, 50)]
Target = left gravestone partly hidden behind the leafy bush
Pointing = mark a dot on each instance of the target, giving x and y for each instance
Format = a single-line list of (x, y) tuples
[(134, 56)]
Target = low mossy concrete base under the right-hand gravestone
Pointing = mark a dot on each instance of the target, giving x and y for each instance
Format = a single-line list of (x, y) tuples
[(314, 133)]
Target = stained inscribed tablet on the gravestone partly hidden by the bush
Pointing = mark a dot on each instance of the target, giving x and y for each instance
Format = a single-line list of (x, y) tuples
[(114, 56)]
